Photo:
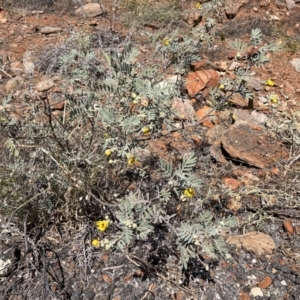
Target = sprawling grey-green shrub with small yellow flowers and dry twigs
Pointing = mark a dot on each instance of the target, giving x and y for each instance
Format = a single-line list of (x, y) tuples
[(79, 163)]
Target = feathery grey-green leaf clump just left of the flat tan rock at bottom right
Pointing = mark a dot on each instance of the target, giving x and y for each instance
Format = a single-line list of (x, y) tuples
[(202, 234)]
